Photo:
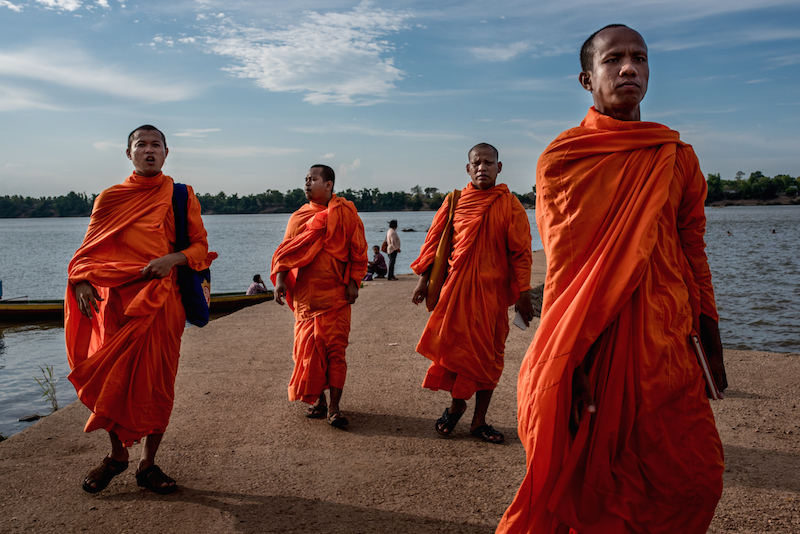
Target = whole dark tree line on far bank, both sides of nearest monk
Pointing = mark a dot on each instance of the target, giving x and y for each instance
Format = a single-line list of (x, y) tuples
[(756, 187)]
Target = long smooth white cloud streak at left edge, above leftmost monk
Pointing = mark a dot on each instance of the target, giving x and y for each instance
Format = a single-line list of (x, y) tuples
[(72, 68)]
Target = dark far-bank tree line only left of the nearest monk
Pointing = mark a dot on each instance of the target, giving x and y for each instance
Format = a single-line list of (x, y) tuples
[(270, 201)]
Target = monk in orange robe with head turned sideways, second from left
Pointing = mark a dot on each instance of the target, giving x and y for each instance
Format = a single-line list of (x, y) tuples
[(318, 269)]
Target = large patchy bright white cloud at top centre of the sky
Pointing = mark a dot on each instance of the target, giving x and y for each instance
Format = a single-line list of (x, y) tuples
[(332, 57)]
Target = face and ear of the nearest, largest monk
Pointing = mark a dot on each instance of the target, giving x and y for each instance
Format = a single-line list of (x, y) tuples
[(618, 80)]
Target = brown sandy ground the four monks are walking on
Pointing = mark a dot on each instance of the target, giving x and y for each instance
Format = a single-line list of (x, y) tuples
[(248, 461)]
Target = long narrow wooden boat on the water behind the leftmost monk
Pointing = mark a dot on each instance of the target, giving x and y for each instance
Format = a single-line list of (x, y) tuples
[(24, 310)]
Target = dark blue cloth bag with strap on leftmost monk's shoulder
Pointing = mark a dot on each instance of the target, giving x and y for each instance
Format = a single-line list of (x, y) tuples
[(195, 286)]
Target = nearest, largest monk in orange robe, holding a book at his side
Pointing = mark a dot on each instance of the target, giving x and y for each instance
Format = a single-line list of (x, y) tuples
[(613, 410)]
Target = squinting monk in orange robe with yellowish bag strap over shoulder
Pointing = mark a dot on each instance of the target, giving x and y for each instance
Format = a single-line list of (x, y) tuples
[(489, 269)]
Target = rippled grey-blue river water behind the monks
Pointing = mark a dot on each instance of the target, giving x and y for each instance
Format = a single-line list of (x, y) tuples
[(756, 276)]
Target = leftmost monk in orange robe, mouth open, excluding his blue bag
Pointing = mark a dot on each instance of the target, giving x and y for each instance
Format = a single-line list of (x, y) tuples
[(123, 312)]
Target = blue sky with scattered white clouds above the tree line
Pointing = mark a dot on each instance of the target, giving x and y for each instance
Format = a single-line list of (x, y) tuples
[(389, 94)]
